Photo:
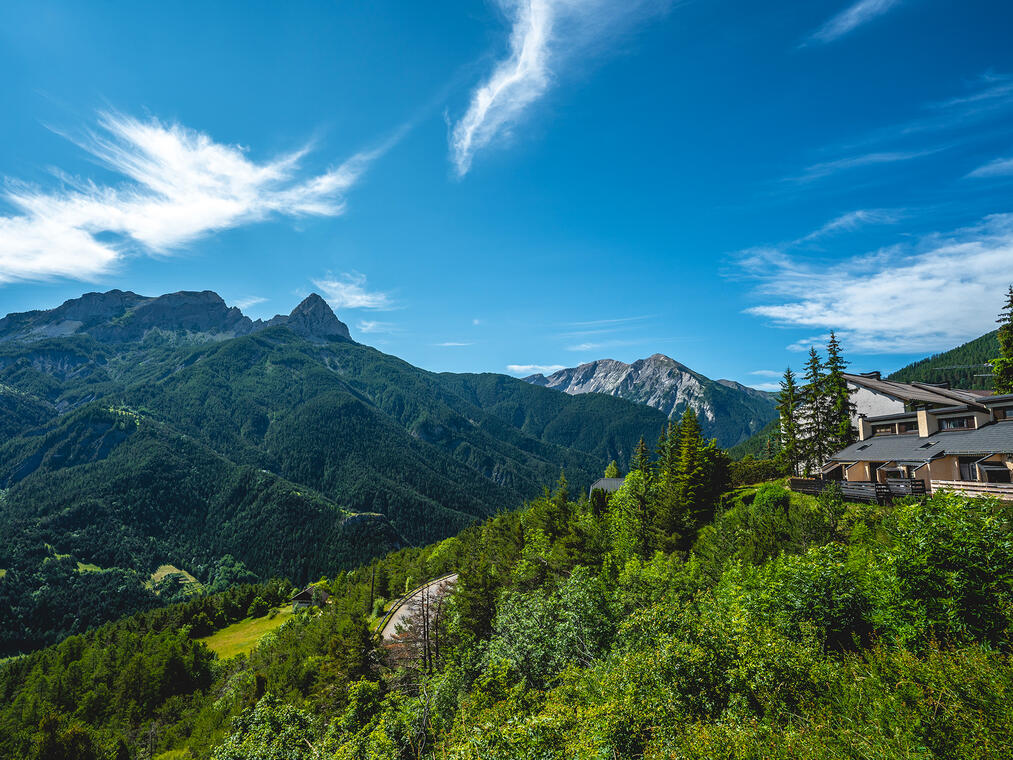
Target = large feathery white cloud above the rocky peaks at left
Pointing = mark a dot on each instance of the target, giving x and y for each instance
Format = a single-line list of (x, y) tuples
[(179, 185)]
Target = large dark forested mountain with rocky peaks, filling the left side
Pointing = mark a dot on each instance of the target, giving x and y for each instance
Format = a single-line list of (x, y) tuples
[(137, 432)]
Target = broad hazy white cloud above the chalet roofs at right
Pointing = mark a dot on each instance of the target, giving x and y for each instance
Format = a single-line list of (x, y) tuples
[(928, 296)]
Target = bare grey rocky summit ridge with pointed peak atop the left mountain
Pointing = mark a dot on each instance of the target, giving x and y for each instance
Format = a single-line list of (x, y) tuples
[(120, 317)]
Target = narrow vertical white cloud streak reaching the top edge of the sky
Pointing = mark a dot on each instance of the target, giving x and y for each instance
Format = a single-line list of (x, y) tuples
[(544, 34)]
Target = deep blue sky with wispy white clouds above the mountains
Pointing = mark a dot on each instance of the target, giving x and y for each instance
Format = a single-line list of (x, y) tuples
[(522, 184)]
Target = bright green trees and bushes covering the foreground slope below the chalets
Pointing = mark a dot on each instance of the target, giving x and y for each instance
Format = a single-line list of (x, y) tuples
[(666, 622)]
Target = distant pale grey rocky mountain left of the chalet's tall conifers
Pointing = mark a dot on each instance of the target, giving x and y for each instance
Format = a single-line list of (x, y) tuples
[(728, 411)]
